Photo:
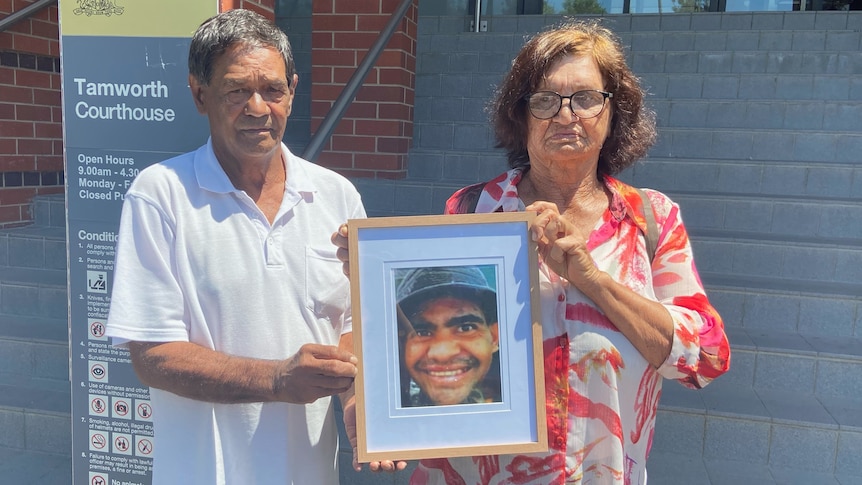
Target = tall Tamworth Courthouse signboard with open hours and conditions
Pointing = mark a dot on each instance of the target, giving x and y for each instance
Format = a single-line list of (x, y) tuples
[(126, 105)]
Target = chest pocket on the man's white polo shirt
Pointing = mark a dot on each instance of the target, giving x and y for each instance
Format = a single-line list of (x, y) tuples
[(327, 290)]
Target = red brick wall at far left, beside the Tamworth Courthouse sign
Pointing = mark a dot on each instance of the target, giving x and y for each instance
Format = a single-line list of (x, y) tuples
[(31, 134)]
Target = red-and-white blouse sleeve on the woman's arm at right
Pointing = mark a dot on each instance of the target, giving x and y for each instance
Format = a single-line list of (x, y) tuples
[(700, 351)]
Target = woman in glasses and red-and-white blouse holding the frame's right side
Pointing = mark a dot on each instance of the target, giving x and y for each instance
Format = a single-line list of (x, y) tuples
[(622, 304)]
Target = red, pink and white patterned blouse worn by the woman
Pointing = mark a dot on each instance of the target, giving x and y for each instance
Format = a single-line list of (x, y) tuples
[(601, 394)]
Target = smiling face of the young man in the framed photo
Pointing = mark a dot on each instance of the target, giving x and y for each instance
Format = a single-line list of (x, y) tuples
[(450, 349)]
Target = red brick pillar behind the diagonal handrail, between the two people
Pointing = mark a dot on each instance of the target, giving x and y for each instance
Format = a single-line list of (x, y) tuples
[(375, 134)]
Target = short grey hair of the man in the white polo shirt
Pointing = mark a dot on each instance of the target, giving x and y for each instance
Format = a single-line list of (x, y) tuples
[(220, 32)]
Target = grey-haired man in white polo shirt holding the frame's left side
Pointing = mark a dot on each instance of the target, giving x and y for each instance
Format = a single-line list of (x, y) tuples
[(227, 290)]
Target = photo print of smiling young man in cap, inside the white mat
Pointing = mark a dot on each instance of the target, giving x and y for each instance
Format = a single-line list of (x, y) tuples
[(448, 336)]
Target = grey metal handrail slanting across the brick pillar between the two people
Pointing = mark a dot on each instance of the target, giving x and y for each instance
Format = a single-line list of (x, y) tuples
[(346, 97)]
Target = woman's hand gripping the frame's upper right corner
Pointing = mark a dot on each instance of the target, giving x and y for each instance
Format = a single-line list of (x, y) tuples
[(562, 246)]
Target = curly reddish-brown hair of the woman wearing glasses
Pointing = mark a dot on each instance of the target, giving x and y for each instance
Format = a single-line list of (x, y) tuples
[(632, 130)]
